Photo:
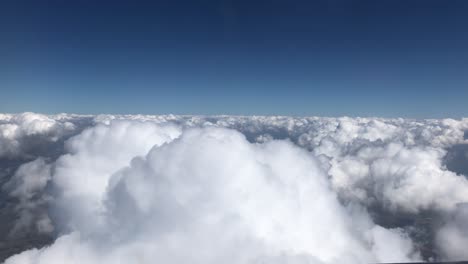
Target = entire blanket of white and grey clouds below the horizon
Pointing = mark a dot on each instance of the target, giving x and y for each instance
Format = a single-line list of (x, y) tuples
[(235, 189)]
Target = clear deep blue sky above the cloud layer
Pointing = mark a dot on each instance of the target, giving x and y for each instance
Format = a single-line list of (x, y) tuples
[(328, 58)]
